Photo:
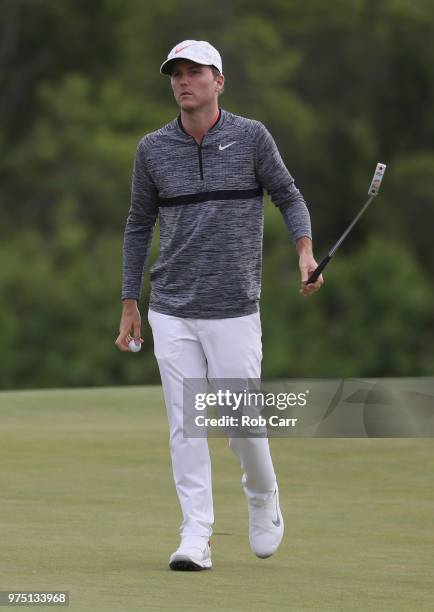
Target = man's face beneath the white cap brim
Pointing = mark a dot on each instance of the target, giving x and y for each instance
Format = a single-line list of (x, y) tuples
[(194, 85)]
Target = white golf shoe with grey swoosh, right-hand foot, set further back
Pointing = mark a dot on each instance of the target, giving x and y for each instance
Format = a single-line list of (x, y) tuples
[(265, 525)]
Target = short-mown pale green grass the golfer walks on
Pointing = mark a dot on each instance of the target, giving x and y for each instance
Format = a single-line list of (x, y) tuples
[(87, 505)]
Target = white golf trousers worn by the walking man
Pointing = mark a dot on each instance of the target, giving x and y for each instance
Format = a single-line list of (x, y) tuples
[(208, 348)]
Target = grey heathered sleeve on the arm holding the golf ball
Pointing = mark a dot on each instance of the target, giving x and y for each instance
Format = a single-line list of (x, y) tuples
[(139, 227)]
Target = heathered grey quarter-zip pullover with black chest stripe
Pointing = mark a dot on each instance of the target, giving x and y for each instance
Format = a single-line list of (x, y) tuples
[(209, 201)]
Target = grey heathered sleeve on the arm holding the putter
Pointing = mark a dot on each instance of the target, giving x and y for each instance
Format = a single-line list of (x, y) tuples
[(276, 179)]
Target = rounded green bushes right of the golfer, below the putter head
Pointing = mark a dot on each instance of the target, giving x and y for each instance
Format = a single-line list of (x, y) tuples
[(373, 317)]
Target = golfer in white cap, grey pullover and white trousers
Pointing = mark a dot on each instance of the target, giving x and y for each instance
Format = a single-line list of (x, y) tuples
[(203, 176)]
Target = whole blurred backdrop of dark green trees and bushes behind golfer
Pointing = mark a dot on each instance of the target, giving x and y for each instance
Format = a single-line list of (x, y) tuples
[(341, 85)]
